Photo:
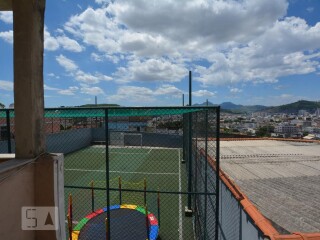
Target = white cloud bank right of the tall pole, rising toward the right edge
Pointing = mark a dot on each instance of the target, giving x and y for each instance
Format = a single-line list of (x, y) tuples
[(290, 47)]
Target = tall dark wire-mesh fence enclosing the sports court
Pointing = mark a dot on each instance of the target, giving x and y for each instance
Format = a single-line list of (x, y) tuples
[(136, 173)]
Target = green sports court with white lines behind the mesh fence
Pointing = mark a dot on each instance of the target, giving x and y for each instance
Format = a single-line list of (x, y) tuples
[(160, 168)]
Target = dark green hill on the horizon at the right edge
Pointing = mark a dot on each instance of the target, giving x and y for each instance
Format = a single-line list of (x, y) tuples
[(309, 106)]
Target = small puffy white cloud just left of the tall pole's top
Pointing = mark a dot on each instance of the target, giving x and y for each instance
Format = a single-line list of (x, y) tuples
[(151, 70)]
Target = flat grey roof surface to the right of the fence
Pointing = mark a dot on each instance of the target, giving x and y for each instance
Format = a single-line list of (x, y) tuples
[(281, 178)]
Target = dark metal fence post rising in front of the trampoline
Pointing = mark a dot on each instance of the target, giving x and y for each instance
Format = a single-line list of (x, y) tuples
[(107, 172)]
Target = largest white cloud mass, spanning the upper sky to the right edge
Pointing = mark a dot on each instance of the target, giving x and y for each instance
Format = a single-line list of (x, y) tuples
[(157, 40)]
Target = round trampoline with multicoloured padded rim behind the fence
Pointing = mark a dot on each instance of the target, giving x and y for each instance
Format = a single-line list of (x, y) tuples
[(126, 222)]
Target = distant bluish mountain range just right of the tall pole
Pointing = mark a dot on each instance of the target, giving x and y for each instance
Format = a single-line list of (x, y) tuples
[(235, 108)]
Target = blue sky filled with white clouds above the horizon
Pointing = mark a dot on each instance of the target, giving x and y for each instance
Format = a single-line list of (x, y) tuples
[(138, 53)]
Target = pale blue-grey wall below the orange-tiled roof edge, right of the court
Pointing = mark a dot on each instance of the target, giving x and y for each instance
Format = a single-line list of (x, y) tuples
[(234, 222)]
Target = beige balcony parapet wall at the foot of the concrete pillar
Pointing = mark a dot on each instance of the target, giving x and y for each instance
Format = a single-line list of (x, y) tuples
[(31, 183)]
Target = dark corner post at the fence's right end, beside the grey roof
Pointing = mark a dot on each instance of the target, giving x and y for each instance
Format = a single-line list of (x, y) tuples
[(217, 171)]
